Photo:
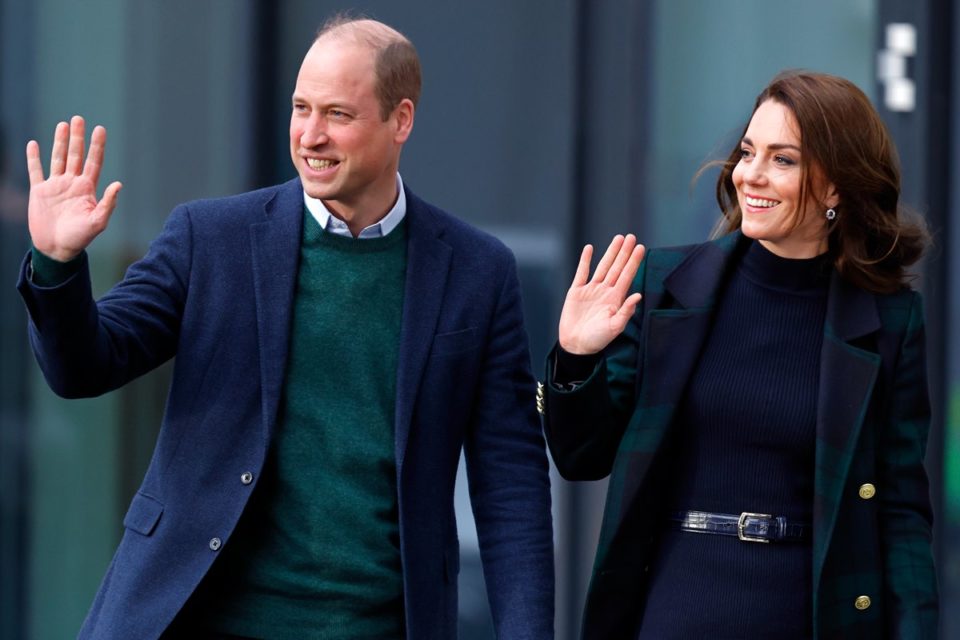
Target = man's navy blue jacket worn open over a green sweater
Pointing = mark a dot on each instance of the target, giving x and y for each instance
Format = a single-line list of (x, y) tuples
[(216, 291)]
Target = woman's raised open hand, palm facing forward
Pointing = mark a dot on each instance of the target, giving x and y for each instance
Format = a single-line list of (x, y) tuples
[(597, 310)]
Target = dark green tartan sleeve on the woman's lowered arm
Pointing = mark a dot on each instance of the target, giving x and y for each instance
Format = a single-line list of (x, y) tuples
[(905, 517)]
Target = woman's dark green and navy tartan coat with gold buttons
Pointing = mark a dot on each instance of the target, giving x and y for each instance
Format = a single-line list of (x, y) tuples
[(872, 514)]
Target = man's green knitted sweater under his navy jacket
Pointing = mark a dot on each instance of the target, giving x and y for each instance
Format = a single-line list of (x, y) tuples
[(317, 552)]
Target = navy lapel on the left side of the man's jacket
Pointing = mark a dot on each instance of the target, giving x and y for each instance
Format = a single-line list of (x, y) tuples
[(275, 252)]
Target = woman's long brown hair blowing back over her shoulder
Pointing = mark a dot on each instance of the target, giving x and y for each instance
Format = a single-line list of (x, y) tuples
[(873, 238)]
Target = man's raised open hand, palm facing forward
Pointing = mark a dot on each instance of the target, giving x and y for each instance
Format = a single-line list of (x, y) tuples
[(64, 214)]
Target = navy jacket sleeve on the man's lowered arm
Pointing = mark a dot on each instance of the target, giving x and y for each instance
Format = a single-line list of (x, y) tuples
[(509, 477)]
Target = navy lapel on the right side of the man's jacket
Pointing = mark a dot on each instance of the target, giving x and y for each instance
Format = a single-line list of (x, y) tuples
[(428, 264)]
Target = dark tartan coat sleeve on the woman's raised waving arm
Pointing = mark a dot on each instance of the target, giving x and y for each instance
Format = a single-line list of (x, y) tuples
[(584, 425)]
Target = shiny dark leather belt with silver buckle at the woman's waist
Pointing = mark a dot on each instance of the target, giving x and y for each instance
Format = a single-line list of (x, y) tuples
[(748, 527)]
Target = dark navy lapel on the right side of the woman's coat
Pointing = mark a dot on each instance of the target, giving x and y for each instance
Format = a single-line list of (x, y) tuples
[(847, 377)]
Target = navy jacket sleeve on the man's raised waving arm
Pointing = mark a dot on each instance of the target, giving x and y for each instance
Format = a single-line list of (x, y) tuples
[(86, 348)]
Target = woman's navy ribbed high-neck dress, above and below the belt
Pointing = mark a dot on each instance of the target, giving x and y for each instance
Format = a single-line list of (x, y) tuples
[(743, 440)]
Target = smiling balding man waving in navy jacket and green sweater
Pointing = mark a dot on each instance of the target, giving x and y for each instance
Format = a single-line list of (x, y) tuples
[(338, 342)]
